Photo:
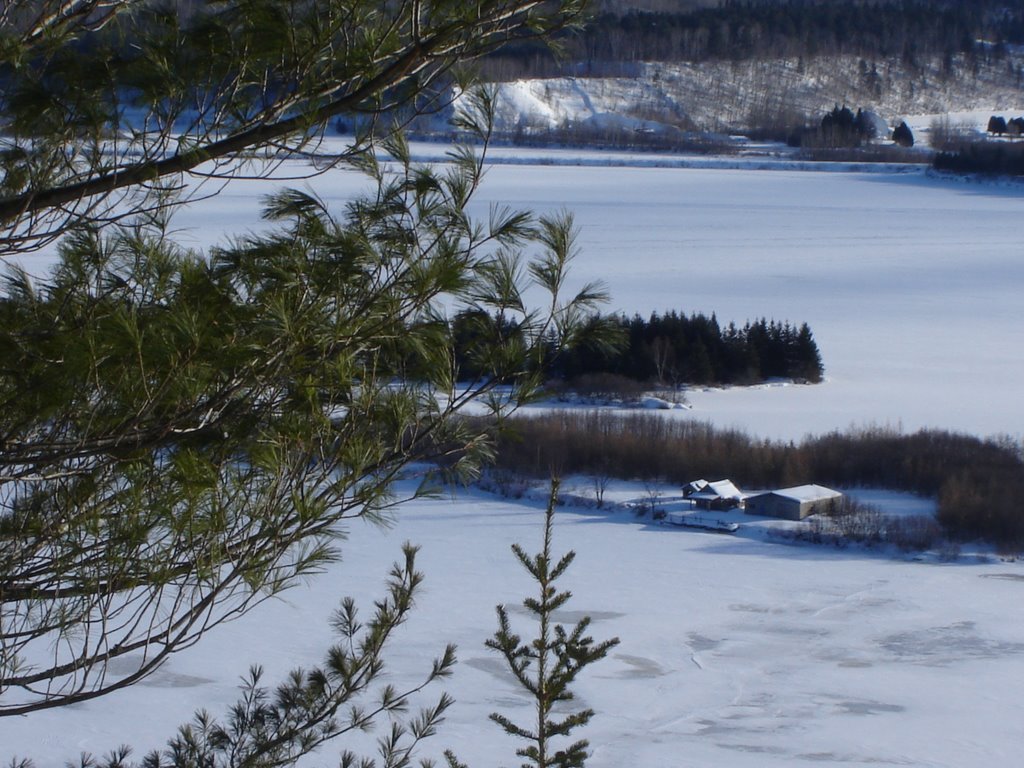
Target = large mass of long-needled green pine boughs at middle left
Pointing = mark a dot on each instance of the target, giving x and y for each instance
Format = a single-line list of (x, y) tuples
[(185, 437)]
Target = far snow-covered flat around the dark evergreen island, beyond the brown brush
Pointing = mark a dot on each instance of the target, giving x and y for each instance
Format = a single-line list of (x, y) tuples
[(912, 284)]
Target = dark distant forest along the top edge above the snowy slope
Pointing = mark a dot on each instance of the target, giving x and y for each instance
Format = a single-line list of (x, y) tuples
[(758, 29)]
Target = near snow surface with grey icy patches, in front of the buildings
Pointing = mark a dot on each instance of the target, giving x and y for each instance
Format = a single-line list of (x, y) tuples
[(735, 652)]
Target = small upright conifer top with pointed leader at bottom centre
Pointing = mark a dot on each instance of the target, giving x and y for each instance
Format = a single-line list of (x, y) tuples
[(547, 666)]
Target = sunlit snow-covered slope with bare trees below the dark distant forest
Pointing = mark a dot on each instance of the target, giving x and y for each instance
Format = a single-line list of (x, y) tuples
[(731, 97)]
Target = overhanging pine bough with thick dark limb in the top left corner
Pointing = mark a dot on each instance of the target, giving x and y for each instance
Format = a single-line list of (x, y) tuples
[(111, 108)]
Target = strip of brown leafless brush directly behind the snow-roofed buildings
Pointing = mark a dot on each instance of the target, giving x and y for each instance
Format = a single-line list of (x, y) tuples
[(978, 483)]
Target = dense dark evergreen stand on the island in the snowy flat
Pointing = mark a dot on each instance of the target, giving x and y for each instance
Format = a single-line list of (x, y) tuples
[(674, 349)]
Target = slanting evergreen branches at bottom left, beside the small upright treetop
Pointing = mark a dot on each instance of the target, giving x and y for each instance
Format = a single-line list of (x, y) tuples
[(343, 696)]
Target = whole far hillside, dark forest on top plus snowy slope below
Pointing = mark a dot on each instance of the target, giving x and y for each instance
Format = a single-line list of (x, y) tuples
[(657, 72)]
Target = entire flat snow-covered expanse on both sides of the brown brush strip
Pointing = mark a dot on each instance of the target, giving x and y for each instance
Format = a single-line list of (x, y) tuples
[(735, 652)]
